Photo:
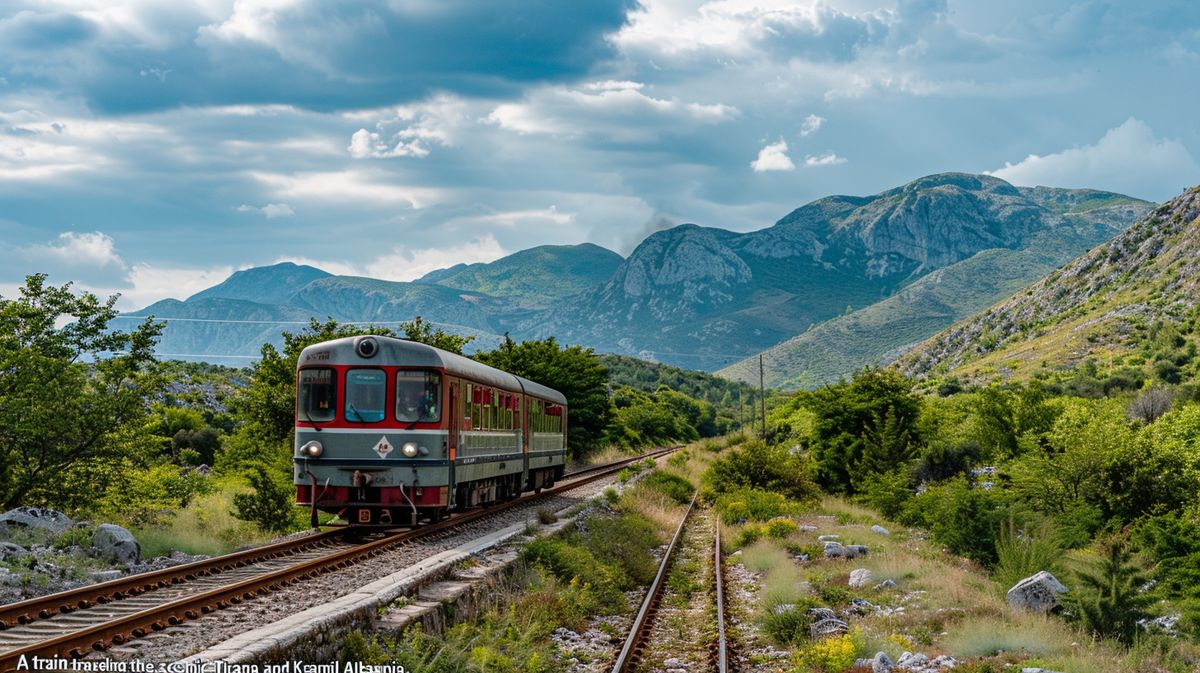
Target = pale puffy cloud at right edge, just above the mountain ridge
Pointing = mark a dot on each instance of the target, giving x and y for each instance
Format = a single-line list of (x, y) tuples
[(1129, 159)]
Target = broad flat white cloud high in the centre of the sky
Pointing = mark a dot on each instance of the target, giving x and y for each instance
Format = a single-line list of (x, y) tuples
[(617, 111)]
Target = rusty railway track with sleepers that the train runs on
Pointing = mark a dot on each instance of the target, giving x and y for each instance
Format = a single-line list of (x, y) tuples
[(73, 624)]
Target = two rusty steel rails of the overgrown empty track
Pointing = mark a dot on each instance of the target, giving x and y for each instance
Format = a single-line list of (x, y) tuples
[(633, 656)]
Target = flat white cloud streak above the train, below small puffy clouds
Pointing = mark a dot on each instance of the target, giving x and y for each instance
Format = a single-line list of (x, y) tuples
[(347, 188)]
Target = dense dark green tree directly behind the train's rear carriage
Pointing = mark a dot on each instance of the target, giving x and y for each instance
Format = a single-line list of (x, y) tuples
[(574, 371)]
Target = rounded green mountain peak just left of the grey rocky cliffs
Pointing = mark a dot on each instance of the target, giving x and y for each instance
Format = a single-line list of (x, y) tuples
[(539, 275)]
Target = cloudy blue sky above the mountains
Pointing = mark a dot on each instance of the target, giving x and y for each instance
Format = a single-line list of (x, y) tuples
[(153, 148)]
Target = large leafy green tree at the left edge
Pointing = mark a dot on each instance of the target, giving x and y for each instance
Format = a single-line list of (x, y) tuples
[(70, 396)]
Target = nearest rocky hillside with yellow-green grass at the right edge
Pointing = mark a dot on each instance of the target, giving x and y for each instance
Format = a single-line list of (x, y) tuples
[(1114, 301)]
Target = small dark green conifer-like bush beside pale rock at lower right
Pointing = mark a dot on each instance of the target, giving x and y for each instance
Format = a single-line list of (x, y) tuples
[(1108, 602)]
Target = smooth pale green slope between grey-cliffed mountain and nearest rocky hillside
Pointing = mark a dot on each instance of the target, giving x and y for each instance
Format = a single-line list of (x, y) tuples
[(878, 334)]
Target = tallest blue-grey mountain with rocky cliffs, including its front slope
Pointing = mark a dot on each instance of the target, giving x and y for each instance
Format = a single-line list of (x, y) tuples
[(706, 298)]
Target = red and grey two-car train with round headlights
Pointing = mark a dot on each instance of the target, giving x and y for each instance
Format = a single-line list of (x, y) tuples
[(395, 432)]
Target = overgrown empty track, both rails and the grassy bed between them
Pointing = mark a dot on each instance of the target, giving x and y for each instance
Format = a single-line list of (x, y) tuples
[(675, 628)]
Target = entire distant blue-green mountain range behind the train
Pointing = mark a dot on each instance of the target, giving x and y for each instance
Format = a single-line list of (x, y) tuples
[(836, 285)]
